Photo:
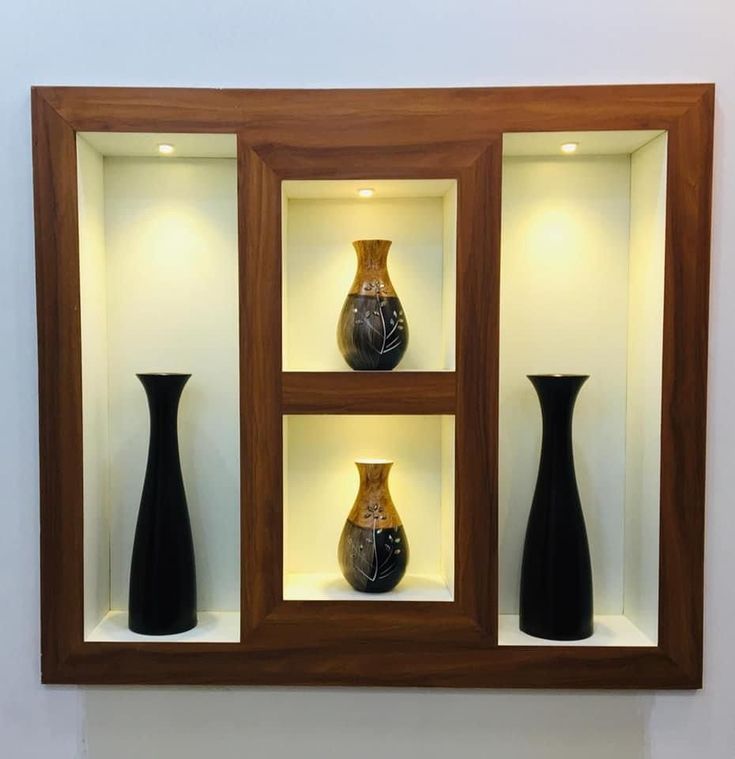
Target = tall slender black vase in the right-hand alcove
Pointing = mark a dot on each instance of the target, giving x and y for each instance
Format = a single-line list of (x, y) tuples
[(556, 576)]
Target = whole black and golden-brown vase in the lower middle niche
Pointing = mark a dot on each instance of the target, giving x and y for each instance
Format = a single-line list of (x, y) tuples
[(373, 550)]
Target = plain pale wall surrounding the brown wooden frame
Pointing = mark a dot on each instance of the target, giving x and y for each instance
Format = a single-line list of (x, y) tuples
[(349, 43)]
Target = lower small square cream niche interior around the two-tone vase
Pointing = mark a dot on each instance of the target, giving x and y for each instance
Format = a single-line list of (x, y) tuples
[(320, 486)]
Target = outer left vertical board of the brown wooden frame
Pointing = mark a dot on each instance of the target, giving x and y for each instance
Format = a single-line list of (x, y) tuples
[(59, 387)]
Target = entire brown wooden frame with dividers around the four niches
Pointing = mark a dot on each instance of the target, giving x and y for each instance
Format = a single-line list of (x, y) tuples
[(302, 134)]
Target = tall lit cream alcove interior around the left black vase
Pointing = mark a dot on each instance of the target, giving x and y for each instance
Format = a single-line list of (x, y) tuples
[(158, 256)]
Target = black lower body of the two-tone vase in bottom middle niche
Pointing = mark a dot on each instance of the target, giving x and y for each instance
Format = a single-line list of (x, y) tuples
[(373, 560)]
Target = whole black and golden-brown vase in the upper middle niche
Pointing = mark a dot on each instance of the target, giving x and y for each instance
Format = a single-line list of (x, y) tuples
[(372, 332)]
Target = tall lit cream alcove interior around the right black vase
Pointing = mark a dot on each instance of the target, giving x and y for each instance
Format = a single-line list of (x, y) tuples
[(582, 285)]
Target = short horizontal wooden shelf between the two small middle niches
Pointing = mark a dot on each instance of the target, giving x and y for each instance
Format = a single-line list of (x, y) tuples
[(369, 392)]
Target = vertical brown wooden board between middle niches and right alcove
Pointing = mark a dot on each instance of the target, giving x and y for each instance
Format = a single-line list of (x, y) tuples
[(478, 313)]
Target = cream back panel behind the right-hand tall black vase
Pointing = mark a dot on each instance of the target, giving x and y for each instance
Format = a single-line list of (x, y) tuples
[(564, 291)]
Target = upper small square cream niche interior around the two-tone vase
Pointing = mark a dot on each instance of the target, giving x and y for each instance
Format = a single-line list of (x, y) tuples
[(322, 218)]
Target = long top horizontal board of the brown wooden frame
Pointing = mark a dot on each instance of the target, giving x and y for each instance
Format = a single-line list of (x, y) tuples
[(357, 119)]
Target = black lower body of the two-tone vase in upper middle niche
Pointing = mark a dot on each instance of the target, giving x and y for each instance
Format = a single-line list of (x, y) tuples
[(372, 332)]
